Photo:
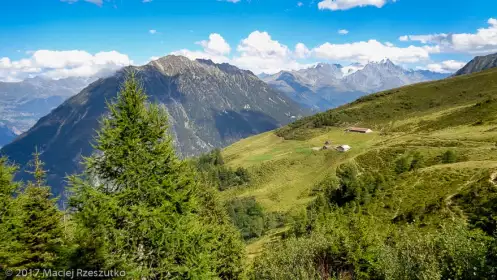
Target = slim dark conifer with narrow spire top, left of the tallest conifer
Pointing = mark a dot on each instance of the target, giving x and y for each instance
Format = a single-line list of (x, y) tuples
[(38, 230)]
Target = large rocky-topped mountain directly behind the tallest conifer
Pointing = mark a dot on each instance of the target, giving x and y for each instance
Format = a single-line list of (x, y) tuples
[(209, 105)]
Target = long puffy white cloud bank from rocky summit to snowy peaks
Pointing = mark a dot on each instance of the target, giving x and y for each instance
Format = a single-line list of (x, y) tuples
[(259, 52)]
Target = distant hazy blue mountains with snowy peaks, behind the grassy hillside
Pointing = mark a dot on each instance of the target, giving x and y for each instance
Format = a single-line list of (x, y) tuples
[(325, 86)]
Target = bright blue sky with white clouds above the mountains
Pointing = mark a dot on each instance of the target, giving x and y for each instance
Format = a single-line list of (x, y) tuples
[(260, 35)]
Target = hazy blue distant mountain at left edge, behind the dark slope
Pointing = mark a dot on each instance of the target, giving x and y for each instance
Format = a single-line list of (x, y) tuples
[(23, 103)]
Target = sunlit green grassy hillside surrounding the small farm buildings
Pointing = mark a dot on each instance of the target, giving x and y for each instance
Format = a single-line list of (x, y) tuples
[(432, 157)]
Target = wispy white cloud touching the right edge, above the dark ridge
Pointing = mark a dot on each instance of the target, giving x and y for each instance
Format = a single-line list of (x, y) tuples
[(483, 41)]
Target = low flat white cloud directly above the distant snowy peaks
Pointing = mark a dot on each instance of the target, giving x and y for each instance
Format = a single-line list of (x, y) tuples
[(373, 50)]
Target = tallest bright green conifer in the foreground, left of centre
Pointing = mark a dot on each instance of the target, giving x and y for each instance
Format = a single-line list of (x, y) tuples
[(137, 205)]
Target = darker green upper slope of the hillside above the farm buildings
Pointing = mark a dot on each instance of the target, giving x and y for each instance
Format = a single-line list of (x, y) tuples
[(410, 102)]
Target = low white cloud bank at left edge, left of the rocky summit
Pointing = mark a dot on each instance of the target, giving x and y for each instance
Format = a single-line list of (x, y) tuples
[(62, 64)]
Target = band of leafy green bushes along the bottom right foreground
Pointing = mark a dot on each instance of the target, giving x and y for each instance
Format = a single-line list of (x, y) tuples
[(355, 246)]
